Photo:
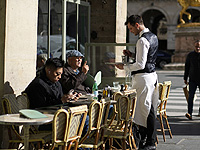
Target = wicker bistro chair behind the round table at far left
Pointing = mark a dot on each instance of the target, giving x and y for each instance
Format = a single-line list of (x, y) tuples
[(11, 105)]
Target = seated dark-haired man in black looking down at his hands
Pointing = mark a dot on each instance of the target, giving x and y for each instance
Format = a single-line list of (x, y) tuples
[(45, 90)]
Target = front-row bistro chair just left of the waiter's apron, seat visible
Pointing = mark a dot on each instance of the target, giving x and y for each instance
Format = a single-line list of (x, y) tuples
[(122, 130)]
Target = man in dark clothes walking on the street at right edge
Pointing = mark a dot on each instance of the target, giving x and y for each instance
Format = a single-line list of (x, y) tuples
[(192, 70)]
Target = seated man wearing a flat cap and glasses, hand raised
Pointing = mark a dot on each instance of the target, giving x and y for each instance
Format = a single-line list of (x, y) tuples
[(74, 75)]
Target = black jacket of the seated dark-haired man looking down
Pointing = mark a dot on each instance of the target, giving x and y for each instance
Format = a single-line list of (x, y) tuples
[(42, 92)]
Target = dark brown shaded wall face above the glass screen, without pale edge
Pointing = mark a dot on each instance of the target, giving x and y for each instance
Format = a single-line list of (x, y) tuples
[(103, 21)]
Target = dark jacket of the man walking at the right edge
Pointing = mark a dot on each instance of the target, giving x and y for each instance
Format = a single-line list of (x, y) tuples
[(192, 67)]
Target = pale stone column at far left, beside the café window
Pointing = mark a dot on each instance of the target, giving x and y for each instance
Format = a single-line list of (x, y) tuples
[(18, 46)]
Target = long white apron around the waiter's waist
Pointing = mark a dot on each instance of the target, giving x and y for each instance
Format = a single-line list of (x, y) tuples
[(147, 94)]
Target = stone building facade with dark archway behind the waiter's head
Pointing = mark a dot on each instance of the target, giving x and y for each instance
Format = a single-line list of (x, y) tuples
[(162, 18)]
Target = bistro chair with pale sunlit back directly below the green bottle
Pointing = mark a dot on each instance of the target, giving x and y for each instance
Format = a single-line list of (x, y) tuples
[(92, 138)]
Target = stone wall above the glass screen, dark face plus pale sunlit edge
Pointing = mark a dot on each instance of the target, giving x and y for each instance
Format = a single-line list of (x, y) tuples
[(107, 21)]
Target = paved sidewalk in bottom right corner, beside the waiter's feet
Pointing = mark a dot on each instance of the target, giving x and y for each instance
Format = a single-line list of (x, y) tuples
[(186, 134)]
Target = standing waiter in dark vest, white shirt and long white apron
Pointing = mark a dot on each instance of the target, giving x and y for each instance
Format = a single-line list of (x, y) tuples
[(144, 80)]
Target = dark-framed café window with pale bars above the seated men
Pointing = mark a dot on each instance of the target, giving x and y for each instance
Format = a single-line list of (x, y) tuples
[(76, 26)]
